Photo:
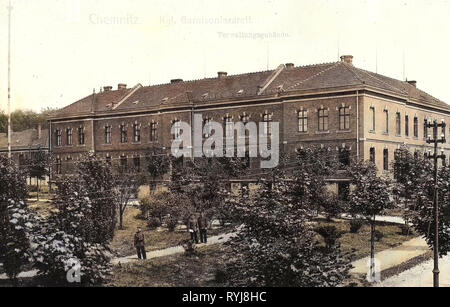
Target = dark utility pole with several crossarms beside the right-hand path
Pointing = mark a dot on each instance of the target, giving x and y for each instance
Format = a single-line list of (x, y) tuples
[(435, 157)]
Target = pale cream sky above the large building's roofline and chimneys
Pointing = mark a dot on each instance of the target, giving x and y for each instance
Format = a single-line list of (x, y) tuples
[(63, 49)]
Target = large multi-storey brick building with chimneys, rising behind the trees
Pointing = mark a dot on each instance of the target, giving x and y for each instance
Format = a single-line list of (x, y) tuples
[(336, 105)]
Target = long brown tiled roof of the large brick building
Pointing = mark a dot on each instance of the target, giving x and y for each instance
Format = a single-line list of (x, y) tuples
[(295, 79)]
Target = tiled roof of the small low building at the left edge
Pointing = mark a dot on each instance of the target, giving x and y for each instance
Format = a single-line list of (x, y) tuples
[(25, 139)]
